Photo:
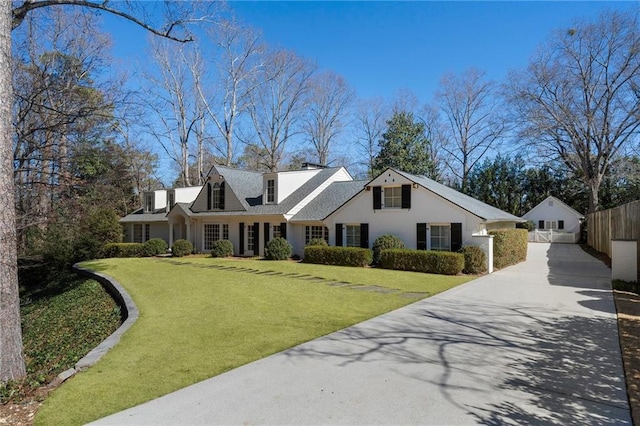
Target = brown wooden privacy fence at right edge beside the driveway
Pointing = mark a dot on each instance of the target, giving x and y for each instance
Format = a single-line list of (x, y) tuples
[(620, 223)]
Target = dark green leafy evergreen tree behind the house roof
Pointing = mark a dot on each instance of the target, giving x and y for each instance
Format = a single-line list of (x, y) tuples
[(404, 146)]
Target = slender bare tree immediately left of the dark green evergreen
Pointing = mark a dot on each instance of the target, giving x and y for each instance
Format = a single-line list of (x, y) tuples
[(370, 122)]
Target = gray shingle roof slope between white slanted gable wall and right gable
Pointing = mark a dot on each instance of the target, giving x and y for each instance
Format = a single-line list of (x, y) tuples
[(329, 200)]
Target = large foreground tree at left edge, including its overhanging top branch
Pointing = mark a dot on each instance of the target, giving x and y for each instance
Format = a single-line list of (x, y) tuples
[(11, 358)]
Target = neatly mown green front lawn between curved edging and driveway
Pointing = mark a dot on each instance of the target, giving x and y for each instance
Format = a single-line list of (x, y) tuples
[(200, 317)]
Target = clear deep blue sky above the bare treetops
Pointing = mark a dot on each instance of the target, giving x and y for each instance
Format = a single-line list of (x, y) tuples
[(382, 47)]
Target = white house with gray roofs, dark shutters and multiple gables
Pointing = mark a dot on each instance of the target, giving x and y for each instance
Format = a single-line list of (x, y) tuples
[(250, 208)]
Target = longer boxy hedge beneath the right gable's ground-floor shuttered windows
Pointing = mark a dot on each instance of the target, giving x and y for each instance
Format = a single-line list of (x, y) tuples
[(434, 262)]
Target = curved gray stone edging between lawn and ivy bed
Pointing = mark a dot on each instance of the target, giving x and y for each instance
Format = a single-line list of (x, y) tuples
[(129, 313)]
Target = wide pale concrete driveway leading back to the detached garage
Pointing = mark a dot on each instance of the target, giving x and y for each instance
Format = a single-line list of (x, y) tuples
[(536, 343)]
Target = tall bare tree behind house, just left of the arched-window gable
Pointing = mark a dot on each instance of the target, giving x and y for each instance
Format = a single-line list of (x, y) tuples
[(174, 102)]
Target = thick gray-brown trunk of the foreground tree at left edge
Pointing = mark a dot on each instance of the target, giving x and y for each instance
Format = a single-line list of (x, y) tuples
[(11, 359)]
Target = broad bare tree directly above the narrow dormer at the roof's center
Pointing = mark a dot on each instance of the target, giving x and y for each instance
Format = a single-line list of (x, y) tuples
[(276, 106)]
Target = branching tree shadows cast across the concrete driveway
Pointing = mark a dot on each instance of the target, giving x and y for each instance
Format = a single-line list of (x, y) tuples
[(488, 363)]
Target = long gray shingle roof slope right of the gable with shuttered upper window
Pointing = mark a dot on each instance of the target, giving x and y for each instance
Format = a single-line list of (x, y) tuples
[(477, 207)]
